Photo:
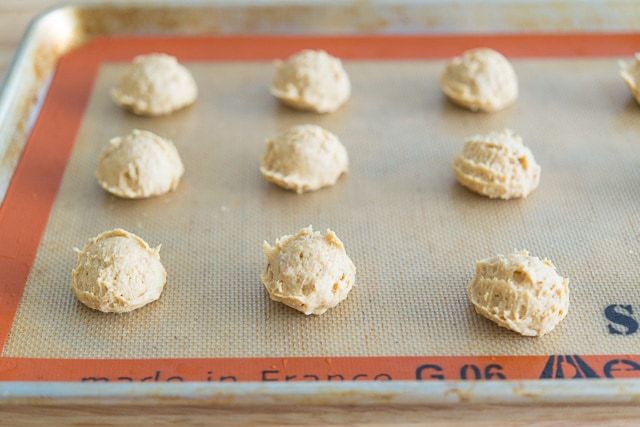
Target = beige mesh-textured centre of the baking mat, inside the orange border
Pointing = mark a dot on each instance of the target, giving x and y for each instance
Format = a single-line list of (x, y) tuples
[(413, 233)]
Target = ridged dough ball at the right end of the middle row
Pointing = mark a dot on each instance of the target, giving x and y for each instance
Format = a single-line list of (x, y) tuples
[(497, 165)]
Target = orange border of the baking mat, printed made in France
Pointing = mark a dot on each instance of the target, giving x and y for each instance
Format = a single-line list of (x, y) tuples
[(25, 211)]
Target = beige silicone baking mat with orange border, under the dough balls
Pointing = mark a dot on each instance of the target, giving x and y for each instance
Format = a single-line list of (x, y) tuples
[(413, 233)]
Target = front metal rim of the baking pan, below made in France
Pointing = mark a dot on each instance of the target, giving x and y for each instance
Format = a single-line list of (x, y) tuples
[(400, 393)]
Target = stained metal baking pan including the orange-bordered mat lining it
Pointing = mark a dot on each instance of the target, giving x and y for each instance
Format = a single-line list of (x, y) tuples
[(406, 340)]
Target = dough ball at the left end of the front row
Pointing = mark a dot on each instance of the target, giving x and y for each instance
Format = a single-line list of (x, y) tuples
[(118, 272)]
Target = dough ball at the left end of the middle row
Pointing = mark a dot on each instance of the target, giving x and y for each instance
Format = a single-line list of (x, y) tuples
[(139, 165)]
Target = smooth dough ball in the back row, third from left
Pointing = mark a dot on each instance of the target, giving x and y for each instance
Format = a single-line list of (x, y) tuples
[(480, 80)]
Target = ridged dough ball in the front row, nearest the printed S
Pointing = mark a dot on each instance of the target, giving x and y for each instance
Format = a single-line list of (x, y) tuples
[(520, 292)]
